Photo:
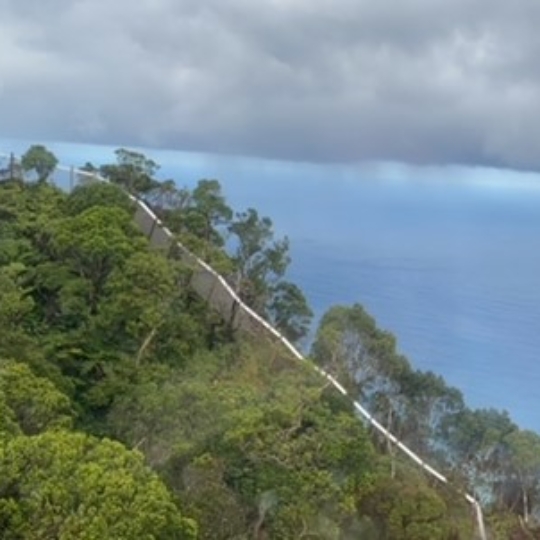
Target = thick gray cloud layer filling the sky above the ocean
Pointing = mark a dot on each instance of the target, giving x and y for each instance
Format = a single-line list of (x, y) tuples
[(425, 81)]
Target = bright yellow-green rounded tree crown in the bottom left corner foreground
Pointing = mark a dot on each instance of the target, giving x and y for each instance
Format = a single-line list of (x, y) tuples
[(75, 487)]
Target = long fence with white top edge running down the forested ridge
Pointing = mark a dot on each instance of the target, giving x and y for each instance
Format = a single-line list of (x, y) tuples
[(213, 288)]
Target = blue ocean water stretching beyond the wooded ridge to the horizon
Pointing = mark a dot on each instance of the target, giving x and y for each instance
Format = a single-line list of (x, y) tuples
[(447, 259)]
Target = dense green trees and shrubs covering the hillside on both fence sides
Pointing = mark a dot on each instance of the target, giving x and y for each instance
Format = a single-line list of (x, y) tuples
[(129, 410)]
